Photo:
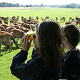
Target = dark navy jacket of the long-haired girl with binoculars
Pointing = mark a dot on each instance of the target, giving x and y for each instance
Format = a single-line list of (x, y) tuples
[(33, 69)]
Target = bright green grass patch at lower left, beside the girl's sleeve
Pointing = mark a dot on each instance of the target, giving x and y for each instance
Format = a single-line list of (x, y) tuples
[(5, 62)]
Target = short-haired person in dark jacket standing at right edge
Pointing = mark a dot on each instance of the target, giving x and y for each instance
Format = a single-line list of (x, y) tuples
[(71, 60)]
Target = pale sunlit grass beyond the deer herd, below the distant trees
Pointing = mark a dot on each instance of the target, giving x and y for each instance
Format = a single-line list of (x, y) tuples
[(41, 12)]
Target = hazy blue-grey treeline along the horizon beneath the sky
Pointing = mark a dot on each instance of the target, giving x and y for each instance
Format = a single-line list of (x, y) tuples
[(72, 5)]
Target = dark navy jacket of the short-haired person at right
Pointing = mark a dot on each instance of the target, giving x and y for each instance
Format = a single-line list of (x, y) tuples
[(71, 65)]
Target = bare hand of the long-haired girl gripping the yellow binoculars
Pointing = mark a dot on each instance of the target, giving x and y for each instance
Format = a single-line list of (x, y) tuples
[(25, 42)]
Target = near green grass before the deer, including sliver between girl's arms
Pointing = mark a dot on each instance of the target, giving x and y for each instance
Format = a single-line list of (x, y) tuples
[(6, 60)]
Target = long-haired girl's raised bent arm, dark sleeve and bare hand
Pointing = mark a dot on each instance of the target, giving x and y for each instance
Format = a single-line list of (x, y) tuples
[(18, 67)]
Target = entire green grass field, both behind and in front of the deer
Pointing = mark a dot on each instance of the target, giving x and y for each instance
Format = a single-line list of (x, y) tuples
[(5, 56)]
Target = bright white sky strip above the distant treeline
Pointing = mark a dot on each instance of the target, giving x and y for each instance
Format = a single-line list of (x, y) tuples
[(44, 2)]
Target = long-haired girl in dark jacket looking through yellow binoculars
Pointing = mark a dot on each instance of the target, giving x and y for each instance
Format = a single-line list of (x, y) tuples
[(46, 55)]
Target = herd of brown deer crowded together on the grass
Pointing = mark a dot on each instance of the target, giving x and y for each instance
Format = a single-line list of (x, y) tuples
[(17, 28)]
